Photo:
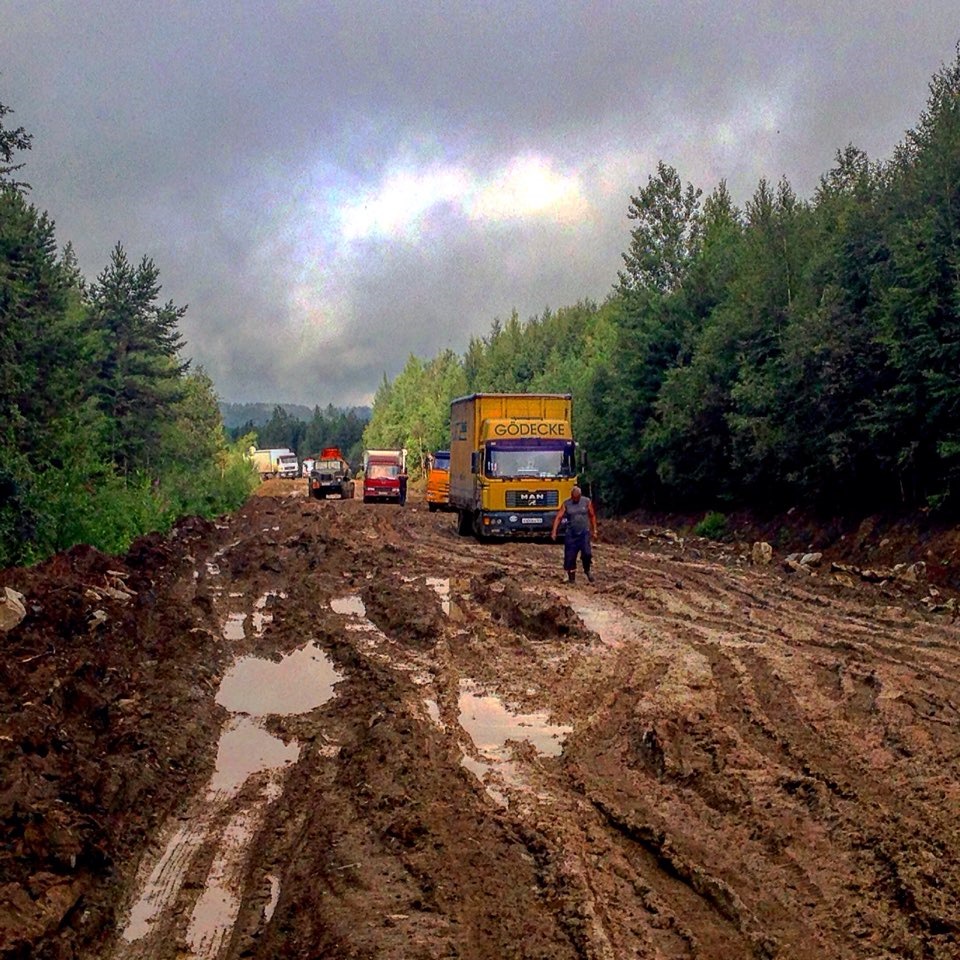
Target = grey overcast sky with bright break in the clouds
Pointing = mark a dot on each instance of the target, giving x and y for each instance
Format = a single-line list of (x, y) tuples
[(331, 186)]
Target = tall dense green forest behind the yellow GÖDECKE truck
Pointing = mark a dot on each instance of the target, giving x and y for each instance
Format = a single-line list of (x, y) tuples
[(787, 351)]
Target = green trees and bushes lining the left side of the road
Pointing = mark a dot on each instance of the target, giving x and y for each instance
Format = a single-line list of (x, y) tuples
[(105, 431)]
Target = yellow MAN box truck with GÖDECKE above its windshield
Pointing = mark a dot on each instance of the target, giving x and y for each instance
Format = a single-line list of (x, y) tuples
[(512, 462)]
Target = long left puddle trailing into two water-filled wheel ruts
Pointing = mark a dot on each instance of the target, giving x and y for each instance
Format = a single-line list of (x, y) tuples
[(251, 690)]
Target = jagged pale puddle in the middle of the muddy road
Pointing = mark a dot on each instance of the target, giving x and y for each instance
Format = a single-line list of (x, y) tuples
[(490, 726)]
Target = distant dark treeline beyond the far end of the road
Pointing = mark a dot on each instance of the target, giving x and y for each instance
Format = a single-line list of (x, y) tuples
[(332, 427)]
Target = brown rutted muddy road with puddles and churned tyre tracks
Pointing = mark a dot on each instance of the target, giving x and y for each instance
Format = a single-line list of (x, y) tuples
[(324, 729)]
